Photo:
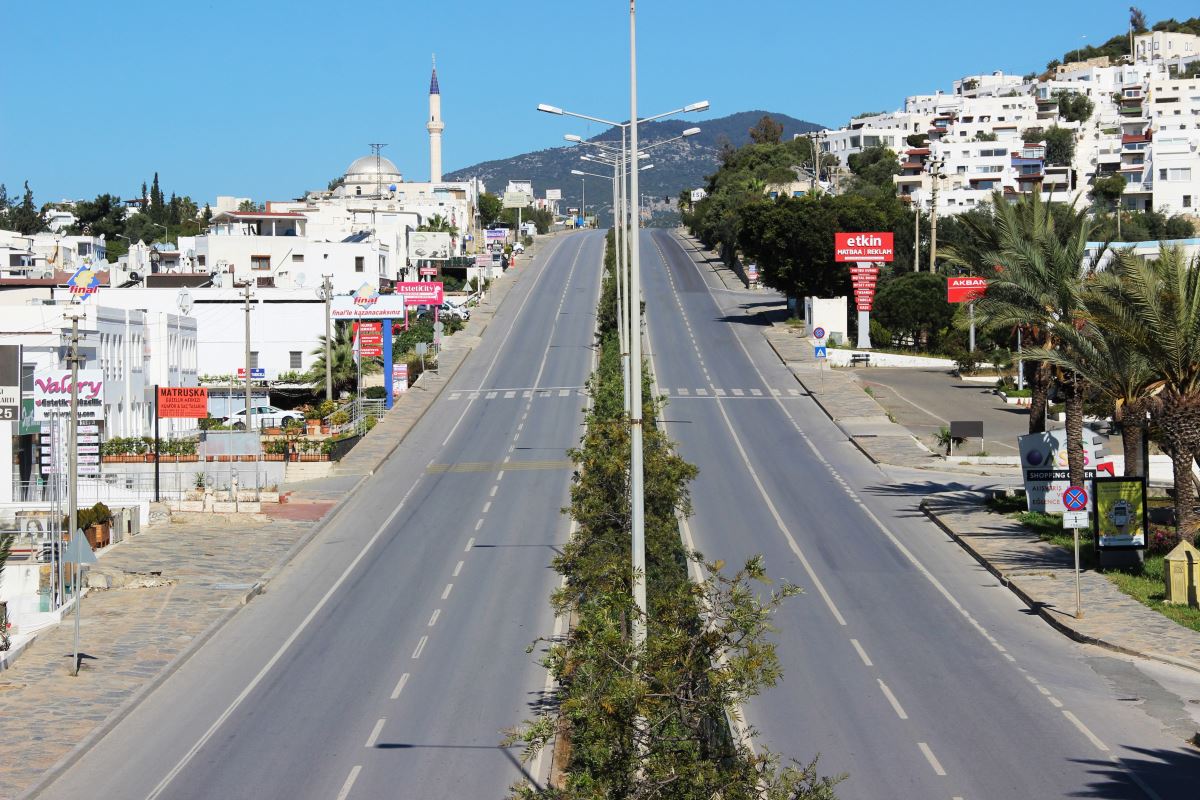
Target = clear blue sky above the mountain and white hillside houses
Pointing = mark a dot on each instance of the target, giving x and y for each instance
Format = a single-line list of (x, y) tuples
[(268, 99)]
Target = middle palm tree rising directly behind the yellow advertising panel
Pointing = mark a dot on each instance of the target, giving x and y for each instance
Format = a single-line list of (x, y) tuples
[(1099, 354)]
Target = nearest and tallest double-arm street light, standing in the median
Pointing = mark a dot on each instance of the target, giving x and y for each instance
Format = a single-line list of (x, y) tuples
[(638, 500)]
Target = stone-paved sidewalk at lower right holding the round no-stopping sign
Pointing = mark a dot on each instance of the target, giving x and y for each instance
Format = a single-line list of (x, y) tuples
[(1043, 576)]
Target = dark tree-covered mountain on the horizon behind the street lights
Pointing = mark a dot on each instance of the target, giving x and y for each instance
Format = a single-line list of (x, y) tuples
[(677, 166)]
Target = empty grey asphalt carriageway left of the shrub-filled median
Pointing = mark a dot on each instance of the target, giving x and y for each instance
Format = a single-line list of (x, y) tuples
[(388, 660)]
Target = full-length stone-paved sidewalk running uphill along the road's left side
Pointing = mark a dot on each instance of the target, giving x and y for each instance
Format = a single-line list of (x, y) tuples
[(193, 575)]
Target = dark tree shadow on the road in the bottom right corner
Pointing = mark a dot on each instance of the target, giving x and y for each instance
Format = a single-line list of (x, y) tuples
[(1167, 773)]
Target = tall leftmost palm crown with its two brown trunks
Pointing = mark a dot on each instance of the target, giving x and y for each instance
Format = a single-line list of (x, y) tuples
[(1043, 258)]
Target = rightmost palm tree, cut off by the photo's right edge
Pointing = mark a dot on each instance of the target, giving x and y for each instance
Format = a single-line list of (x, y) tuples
[(1155, 306)]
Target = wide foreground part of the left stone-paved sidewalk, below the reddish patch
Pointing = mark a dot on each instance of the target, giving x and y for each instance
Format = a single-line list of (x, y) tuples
[(130, 636)]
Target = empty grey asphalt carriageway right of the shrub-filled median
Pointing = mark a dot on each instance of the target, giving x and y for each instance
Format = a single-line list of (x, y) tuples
[(907, 665)]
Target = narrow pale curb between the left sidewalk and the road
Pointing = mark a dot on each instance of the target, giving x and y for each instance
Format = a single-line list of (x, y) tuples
[(119, 714)]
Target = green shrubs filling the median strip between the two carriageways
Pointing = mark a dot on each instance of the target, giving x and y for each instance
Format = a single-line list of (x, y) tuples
[(653, 723)]
